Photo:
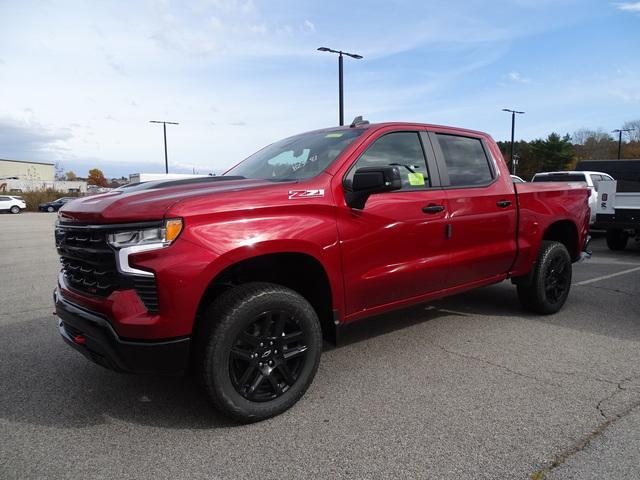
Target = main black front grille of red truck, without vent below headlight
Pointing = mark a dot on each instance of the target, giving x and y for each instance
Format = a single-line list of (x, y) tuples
[(88, 263)]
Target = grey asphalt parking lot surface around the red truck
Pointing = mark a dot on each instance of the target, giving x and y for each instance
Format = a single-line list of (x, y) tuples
[(466, 387)]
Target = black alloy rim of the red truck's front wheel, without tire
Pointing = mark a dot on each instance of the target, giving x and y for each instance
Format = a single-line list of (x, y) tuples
[(267, 356)]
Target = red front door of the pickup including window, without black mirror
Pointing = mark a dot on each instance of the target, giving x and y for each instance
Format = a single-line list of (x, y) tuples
[(395, 248)]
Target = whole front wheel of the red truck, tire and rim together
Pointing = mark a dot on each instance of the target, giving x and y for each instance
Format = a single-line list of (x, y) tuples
[(258, 350)]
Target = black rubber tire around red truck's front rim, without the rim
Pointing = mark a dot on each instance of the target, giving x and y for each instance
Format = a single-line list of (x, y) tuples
[(221, 326)]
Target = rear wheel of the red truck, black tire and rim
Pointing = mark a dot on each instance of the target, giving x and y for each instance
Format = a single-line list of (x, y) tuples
[(551, 281)]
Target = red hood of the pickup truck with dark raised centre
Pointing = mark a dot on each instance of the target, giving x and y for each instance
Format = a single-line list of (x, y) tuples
[(150, 200)]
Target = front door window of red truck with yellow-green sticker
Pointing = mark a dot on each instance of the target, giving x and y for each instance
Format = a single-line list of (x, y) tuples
[(401, 149)]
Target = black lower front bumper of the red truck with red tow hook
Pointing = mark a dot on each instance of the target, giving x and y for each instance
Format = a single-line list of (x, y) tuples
[(93, 336)]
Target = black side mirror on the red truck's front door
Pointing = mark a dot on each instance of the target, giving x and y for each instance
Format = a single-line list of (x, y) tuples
[(370, 180)]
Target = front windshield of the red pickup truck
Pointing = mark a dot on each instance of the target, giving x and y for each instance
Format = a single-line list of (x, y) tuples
[(296, 158)]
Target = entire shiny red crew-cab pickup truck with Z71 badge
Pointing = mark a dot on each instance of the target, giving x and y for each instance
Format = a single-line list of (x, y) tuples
[(239, 276)]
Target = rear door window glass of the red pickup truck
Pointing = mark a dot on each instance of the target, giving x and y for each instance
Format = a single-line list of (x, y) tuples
[(466, 160)]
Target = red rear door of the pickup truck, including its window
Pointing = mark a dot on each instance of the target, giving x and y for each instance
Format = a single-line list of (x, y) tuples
[(481, 209)]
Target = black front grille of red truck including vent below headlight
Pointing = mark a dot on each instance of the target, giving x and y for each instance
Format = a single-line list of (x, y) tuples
[(89, 265)]
